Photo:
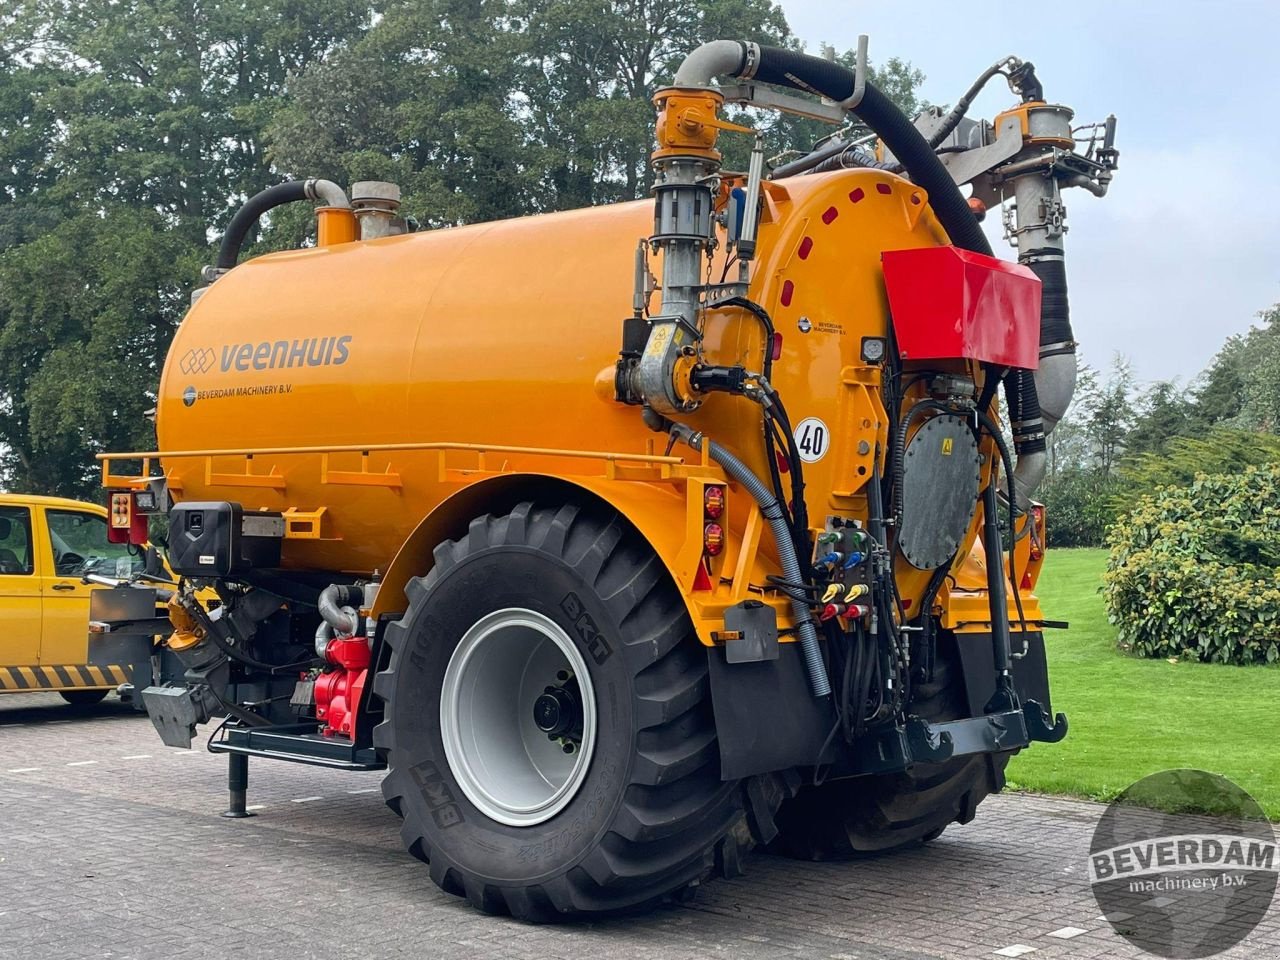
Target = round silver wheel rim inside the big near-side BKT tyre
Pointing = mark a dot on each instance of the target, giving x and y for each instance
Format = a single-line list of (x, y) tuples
[(506, 766)]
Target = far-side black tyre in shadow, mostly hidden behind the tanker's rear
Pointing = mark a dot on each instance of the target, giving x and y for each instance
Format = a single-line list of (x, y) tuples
[(849, 819)]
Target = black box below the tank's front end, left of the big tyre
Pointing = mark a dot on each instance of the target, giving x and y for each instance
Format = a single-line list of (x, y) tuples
[(220, 540)]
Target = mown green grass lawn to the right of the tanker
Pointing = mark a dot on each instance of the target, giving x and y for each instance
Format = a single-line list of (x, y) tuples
[(1131, 717)]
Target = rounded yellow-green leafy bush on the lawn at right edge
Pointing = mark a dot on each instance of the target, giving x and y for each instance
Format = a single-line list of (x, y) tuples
[(1195, 572)]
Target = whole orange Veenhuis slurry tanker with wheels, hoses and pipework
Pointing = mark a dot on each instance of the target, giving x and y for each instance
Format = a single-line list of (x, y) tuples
[(627, 540)]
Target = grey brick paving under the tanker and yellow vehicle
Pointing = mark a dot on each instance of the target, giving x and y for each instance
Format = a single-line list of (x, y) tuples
[(111, 847)]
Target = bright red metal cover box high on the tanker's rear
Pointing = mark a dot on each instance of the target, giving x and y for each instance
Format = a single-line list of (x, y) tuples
[(949, 304)]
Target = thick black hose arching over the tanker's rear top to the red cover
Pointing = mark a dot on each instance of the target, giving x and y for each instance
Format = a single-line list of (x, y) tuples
[(788, 68)]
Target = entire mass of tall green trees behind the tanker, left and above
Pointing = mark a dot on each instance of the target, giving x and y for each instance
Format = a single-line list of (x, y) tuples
[(131, 130)]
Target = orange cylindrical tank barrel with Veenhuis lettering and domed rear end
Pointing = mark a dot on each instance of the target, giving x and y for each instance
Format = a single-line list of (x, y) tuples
[(496, 335)]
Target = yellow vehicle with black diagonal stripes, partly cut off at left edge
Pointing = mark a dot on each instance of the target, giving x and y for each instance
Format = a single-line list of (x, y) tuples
[(48, 547)]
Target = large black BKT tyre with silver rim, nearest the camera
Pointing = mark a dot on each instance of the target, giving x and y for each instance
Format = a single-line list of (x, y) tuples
[(572, 611)]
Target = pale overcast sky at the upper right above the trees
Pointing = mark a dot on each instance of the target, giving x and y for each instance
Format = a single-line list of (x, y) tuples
[(1186, 248)]
